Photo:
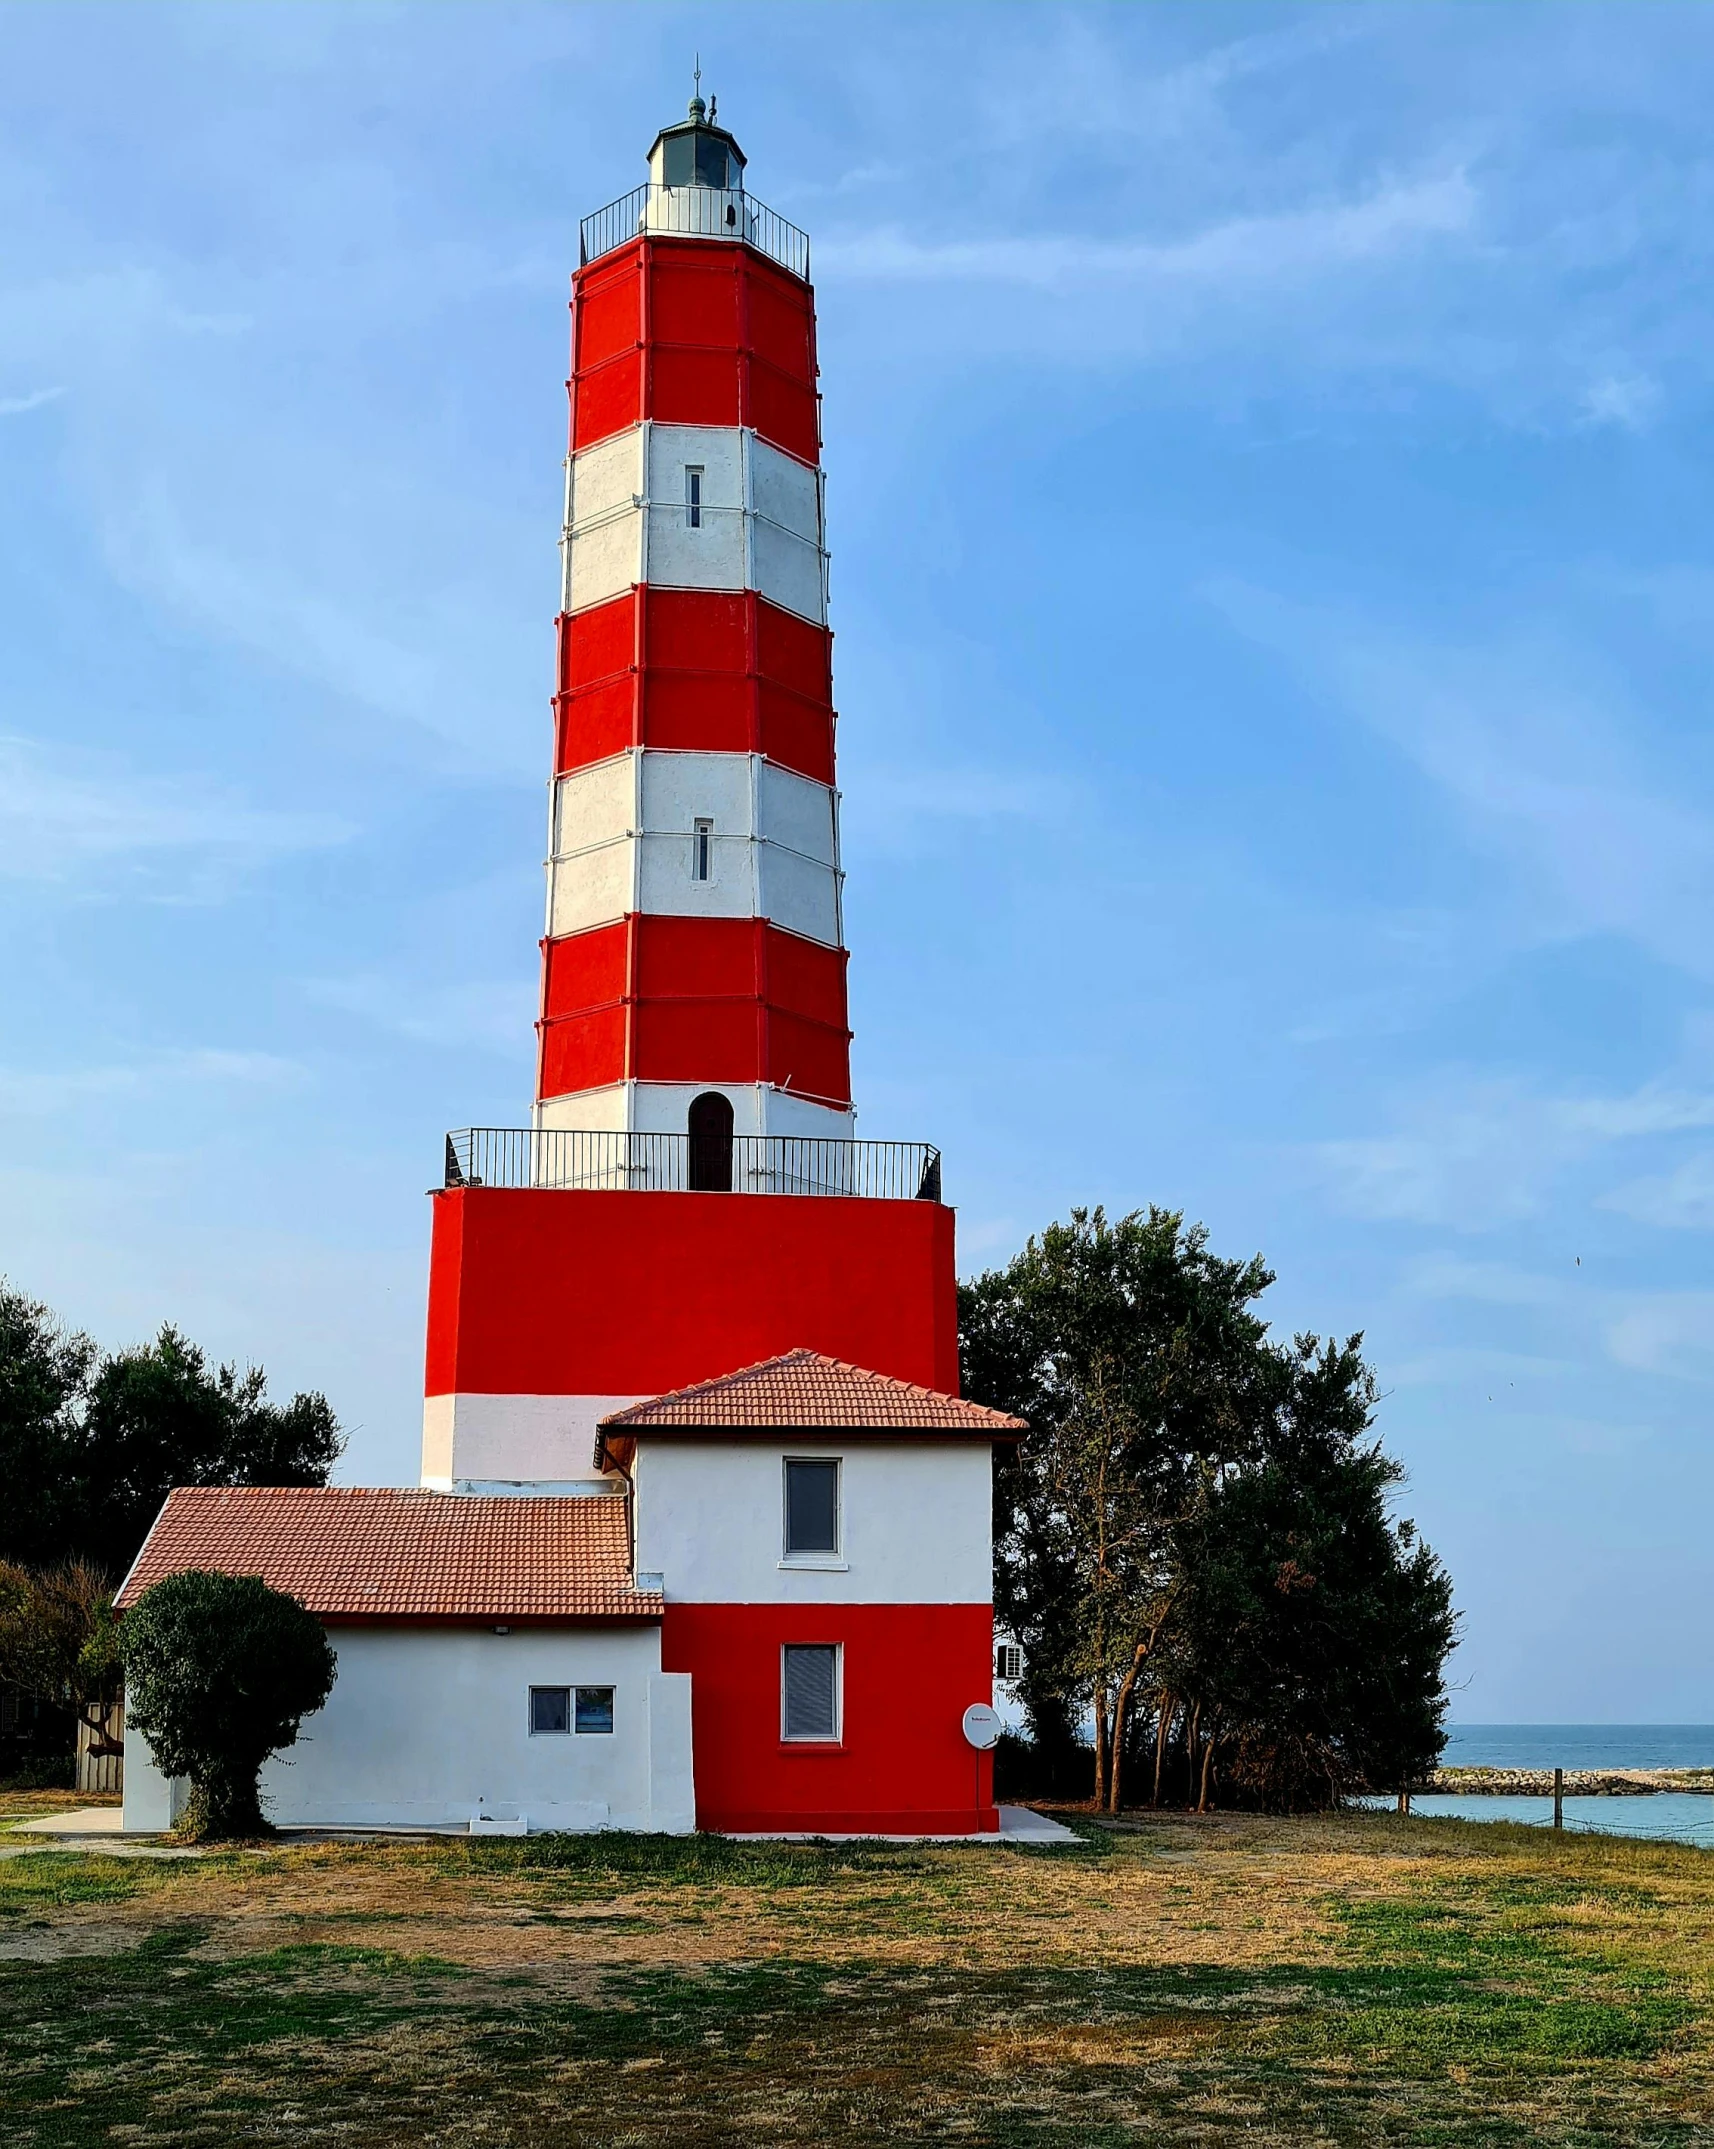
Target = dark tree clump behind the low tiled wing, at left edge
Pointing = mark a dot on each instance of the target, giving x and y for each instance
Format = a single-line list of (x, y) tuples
[(91, 1443)]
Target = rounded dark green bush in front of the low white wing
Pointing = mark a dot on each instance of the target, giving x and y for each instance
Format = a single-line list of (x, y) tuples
[(220, 1673)]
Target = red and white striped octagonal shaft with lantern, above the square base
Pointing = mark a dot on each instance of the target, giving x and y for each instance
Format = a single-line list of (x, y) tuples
[(695, 947)]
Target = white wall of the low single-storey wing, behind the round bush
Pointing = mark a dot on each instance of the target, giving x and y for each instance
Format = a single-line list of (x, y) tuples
[(428, 1727)]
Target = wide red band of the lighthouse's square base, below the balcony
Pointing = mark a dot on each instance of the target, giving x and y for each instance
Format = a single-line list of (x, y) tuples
[(594, 1293)]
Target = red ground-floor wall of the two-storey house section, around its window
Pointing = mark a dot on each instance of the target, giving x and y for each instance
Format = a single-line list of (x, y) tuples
[(901, 1765)]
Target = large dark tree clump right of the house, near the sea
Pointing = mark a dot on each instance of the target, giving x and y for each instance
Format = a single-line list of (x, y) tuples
[(1195, 1540)]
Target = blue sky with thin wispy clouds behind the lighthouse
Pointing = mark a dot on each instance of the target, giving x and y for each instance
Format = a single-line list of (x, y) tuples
[(1275, 592)]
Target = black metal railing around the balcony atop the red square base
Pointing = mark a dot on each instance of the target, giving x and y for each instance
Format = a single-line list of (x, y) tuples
[(562, 1159)]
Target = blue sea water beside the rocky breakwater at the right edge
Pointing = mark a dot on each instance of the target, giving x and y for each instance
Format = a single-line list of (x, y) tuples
[(1670, 1815)]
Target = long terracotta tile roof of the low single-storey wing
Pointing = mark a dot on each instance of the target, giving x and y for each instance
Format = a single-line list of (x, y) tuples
[(392, 1553)]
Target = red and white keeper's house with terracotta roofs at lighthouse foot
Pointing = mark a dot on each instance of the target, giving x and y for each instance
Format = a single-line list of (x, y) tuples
[(791, 1647)]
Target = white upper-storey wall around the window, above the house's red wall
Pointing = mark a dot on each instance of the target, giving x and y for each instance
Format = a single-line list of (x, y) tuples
[(710, 1516)]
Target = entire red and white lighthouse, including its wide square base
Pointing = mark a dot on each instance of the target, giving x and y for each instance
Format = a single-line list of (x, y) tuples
[(691, 1194)]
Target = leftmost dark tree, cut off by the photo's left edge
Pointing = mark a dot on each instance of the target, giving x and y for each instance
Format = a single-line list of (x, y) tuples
[(44, 1379)]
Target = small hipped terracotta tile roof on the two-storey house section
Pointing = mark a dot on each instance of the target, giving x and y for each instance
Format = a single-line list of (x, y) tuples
[(802, 1391)]
